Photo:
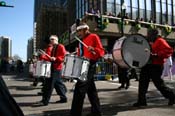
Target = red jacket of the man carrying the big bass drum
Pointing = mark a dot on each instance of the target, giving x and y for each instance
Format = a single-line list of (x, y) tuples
[(162, 49)]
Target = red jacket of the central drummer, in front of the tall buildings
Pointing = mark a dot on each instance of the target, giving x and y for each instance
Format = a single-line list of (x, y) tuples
[(94, 41)]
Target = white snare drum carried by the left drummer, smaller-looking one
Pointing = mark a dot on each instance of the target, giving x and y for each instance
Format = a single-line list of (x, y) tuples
[(43, 69)]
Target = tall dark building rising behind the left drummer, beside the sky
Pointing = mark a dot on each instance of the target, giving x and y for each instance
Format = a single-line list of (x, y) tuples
[(50, 17)]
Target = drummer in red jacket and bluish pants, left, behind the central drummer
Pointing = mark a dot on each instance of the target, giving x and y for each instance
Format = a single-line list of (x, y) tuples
[(55, 54)]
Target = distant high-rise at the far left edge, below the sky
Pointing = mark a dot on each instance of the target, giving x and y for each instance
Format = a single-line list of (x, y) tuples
[(5, 47)]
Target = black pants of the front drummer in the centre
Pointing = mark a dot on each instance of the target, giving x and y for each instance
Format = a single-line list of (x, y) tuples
[(81, 88)]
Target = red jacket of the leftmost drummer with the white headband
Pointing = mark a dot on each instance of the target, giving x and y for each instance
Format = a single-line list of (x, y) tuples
[(59, 54)]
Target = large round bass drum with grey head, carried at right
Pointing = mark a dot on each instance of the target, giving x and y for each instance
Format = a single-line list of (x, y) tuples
[(131, 52)]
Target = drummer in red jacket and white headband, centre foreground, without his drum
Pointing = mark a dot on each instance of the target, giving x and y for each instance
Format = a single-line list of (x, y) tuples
[(93, 51)]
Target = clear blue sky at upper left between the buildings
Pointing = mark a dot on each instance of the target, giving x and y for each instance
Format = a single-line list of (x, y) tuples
[(17, 23)]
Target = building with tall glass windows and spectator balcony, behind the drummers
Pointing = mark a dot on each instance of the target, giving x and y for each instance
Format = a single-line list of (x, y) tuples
[(160, 13)]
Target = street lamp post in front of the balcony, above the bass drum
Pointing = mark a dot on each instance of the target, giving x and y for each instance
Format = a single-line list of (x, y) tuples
[(123, 11)]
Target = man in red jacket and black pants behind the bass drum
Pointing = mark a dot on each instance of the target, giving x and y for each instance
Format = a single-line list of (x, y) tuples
[(153, 70)]
